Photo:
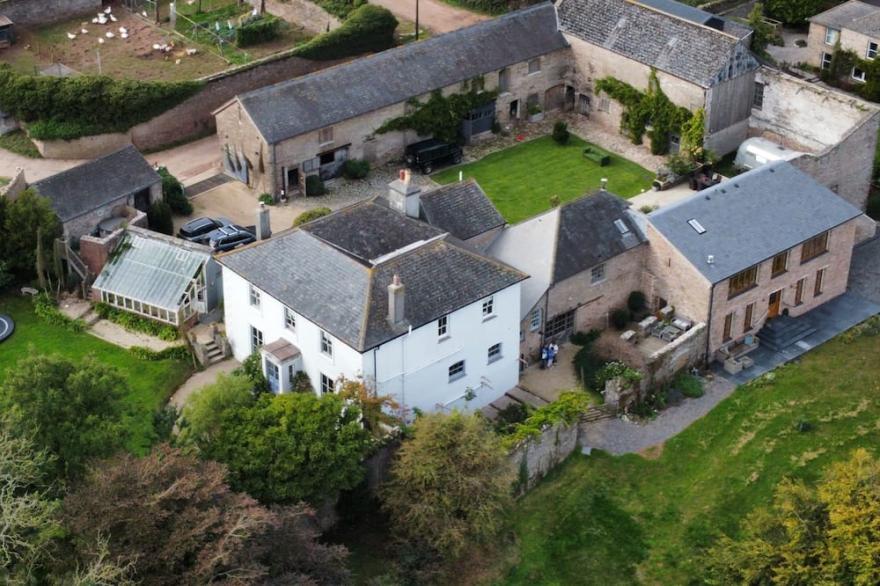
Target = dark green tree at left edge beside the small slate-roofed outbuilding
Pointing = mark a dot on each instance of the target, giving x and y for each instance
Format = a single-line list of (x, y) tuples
[(25, 217)]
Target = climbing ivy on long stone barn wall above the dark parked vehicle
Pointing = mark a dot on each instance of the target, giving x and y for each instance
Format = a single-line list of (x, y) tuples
[(440, 116)]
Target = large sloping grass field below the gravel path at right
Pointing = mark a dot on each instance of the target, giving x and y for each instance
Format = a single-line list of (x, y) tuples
[(625, 520)]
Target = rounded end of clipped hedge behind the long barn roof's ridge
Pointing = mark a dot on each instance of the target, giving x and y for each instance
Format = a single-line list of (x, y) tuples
[(369, 28)]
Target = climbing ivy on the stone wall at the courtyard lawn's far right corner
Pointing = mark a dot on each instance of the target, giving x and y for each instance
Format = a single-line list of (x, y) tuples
[(641, 109)]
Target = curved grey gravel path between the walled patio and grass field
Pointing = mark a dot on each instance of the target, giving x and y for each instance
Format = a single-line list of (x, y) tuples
[(617, 436)]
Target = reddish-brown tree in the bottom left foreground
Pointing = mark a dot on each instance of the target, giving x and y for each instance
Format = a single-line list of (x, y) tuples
[(174, 520)]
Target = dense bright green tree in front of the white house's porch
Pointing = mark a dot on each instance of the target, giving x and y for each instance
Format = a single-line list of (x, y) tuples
[(281, 448)]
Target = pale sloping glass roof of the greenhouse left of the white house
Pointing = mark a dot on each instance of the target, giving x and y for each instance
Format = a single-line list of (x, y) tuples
[(151, 270)]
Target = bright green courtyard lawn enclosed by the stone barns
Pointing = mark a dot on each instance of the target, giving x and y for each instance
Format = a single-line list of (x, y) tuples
[(521, 180)]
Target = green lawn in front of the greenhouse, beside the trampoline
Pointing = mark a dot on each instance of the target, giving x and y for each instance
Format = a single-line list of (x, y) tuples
[(151, 383)]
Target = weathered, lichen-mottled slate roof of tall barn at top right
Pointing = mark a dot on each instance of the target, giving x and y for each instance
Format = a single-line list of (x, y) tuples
[(676, 45)]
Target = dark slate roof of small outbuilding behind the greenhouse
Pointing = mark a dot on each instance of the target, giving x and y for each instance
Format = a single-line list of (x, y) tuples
[(92, 185)]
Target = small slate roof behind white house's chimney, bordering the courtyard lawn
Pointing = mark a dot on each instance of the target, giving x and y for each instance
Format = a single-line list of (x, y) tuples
[(463, 209)]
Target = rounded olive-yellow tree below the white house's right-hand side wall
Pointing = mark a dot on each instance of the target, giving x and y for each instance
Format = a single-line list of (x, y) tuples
[(450, 484)]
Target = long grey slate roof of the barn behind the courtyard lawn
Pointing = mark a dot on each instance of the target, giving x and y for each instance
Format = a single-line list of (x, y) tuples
[(320, 99)]
